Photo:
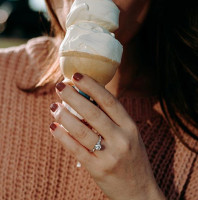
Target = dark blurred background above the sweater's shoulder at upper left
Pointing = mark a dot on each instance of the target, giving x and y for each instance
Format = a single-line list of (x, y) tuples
[(21, 20)]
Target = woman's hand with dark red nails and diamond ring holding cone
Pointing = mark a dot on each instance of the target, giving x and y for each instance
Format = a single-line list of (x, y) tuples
[(121, 168)]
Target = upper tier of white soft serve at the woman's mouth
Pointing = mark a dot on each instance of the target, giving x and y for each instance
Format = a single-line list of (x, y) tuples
[(102, 12)]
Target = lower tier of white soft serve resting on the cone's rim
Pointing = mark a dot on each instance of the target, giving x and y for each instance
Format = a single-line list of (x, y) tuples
[(93, 39)]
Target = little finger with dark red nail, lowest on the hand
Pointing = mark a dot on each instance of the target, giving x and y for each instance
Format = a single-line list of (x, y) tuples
[(71, 144)]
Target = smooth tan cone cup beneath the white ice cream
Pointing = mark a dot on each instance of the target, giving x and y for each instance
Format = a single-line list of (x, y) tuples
[(98, 67)]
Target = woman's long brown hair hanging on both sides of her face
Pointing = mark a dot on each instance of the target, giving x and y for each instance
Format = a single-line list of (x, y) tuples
[(170, 39)]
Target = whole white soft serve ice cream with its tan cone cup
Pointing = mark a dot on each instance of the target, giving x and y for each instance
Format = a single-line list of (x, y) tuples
[(89, 47)]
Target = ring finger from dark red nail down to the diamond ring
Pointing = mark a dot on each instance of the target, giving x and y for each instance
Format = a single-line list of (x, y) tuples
[(74, 126)]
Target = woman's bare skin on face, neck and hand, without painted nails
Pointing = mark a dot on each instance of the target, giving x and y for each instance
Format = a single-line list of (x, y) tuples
[(121, 169)]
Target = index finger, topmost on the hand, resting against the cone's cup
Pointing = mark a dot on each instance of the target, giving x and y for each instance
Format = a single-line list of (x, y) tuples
[(107, 102)]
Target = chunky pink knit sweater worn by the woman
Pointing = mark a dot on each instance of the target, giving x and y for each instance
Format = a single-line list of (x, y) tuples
[(34, 166)]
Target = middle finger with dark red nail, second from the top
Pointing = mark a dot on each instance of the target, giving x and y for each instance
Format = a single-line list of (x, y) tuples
[(91, 113)]
